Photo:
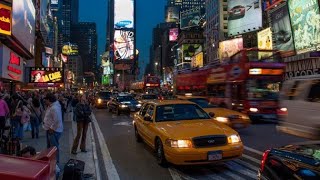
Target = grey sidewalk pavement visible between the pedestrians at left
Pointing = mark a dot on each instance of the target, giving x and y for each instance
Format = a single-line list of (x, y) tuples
[(66, 142)]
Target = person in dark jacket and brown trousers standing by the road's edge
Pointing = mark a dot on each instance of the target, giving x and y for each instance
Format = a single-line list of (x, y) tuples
[(83, 112)]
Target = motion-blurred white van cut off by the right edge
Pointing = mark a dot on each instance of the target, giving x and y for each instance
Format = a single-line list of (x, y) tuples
[(300, 100)]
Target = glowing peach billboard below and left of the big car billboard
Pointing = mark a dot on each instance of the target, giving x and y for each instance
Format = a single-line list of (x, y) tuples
[(229, 48)]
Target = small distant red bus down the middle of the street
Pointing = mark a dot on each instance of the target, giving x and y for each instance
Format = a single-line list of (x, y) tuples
[(150, 84)]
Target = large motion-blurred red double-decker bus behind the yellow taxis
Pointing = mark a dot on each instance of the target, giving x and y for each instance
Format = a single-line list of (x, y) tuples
[(249, 82)]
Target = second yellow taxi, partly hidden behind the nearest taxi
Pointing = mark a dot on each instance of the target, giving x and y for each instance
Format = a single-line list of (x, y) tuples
[(234, 119)]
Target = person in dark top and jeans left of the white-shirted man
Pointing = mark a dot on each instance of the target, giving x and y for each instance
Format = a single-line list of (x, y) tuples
[(35, 117)]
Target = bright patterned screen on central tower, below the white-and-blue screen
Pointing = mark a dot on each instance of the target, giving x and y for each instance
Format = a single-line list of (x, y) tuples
[(123, 45)]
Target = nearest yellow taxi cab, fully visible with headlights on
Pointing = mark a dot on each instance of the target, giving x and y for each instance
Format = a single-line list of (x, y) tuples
[(182, 133)]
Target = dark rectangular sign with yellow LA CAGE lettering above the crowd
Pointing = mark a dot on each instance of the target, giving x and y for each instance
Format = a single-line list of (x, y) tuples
[(46, 75)]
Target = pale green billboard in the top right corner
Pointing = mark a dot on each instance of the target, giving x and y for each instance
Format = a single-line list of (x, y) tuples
[(305, 23)]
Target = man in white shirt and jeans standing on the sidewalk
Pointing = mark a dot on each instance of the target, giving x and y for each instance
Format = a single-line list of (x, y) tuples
[(52, 122)]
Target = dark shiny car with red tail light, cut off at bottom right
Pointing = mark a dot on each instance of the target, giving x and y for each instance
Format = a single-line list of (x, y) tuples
[(300, 161)]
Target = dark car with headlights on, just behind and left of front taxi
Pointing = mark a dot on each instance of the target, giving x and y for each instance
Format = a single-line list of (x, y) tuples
[(123, 103)]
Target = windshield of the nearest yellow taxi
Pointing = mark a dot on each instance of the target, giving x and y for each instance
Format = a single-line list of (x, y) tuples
[(178, 112)]
